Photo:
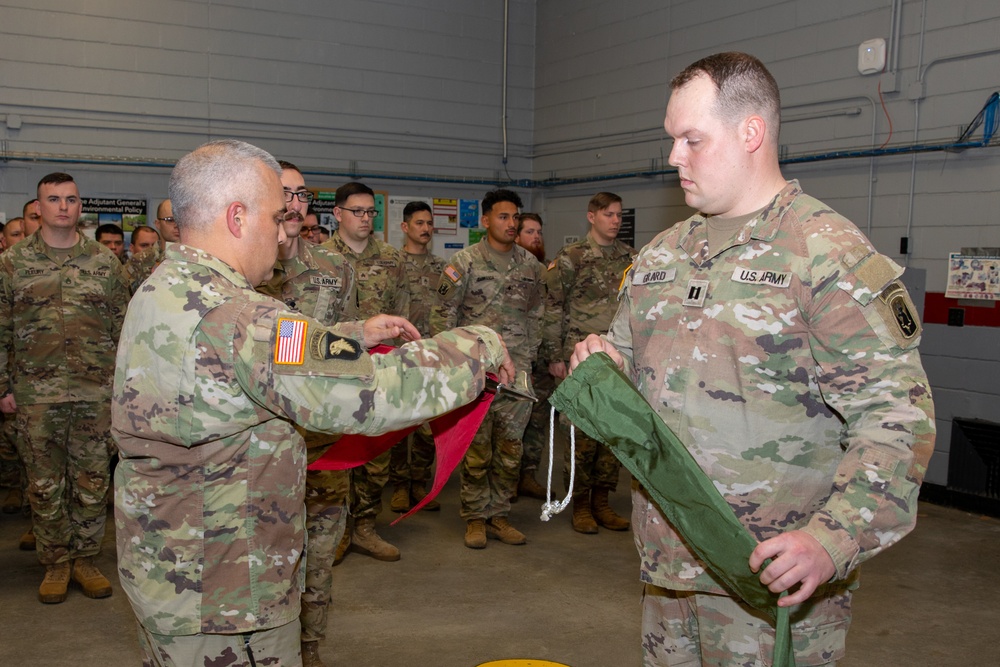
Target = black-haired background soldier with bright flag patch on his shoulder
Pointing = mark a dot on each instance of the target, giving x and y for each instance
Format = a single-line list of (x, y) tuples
[(495, 283)]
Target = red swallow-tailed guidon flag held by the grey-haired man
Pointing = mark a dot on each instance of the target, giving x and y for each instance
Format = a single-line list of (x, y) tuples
[(453, 433)]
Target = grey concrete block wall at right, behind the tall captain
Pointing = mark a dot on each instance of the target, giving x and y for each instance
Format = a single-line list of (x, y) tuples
[(603, 70)]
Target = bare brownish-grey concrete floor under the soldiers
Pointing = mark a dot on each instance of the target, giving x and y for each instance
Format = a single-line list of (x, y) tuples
[(934, 599)]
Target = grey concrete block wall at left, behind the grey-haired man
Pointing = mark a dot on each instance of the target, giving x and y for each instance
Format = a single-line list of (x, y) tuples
[(372, 86)]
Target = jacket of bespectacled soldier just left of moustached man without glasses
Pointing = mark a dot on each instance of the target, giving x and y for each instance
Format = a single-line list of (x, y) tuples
[(382, 286)]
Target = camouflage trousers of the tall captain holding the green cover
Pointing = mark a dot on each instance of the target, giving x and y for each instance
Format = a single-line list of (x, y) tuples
[(691, 629)]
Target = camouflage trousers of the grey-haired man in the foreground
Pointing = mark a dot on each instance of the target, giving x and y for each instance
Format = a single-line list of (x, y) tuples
[(276, 647)]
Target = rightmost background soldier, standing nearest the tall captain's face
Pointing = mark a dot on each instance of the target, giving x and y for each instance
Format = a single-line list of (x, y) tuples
[(583, 301)]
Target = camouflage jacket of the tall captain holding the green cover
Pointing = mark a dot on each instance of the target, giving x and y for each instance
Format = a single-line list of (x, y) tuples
[(787, 364)]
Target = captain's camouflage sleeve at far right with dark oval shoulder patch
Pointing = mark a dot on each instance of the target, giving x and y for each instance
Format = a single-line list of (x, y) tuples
[(864, 336)]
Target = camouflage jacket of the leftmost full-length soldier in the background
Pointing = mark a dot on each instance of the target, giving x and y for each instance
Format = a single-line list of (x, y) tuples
[(61, 322)]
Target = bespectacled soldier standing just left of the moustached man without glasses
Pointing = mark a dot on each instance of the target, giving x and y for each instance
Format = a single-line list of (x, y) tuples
[(382, 288)]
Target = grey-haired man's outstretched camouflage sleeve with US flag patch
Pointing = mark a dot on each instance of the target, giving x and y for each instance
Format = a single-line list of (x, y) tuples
[(339, 388)]
